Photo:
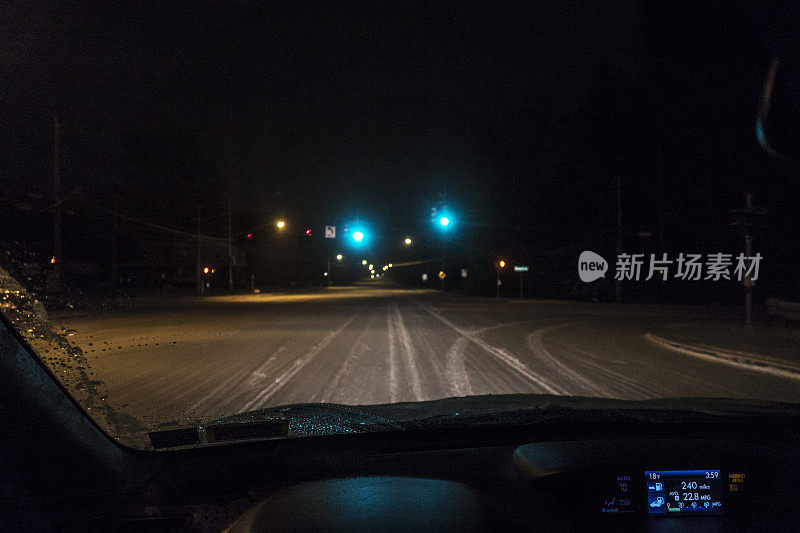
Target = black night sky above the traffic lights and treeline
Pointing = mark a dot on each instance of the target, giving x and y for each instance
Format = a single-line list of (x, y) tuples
[(523, 112)]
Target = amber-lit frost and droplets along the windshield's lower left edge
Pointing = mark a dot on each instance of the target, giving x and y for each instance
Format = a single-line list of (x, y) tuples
[(66, 361)]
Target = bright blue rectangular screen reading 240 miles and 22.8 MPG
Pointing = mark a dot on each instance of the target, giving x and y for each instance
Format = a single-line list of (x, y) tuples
[(683, 491)]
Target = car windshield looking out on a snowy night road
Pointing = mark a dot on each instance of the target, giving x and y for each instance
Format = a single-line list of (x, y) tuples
[(231, 212)]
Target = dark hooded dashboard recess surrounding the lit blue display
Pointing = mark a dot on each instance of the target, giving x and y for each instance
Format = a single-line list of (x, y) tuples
[(652, 484)]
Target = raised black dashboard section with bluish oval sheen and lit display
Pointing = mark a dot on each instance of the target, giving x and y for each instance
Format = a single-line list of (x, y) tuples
[(619, 485)]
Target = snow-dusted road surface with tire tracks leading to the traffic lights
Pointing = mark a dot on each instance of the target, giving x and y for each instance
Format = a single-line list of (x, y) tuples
[(371, 344)]
